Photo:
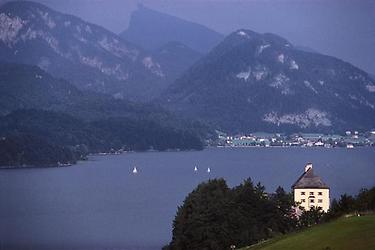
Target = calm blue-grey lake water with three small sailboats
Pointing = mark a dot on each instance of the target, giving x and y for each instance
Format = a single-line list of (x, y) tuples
[(99, 204)]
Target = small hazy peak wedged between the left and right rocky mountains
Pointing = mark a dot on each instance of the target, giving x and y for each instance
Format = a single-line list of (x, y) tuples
[(175, 58)]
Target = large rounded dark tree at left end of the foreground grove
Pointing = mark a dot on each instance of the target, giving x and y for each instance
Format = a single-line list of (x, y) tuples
[(204, 220)]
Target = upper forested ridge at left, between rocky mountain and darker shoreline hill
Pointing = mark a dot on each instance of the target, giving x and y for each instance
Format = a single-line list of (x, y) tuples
[(29, 87)]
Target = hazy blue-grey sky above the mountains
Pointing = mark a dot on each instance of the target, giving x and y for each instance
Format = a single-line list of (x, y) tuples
[(342, 28)]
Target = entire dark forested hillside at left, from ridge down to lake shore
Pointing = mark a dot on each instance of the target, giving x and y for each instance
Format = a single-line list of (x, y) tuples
[(44, 116)]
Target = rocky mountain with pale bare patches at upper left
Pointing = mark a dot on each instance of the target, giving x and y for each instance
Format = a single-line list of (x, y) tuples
[(87, 55)]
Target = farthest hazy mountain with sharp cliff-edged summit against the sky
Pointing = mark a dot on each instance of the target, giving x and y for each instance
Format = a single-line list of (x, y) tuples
[(152, 29)]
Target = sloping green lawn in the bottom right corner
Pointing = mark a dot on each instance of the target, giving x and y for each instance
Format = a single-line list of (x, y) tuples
[(356, 233)]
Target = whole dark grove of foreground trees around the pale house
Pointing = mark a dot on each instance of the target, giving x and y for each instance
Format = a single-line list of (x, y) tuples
[(214, 216)]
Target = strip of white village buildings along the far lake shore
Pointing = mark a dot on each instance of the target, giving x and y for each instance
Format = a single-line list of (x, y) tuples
[(350, 139)]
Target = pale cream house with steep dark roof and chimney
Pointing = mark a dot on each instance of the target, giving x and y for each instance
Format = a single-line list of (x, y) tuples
[(310, 191)]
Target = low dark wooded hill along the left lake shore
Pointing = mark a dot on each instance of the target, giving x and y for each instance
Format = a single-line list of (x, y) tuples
[(35, 137)]
